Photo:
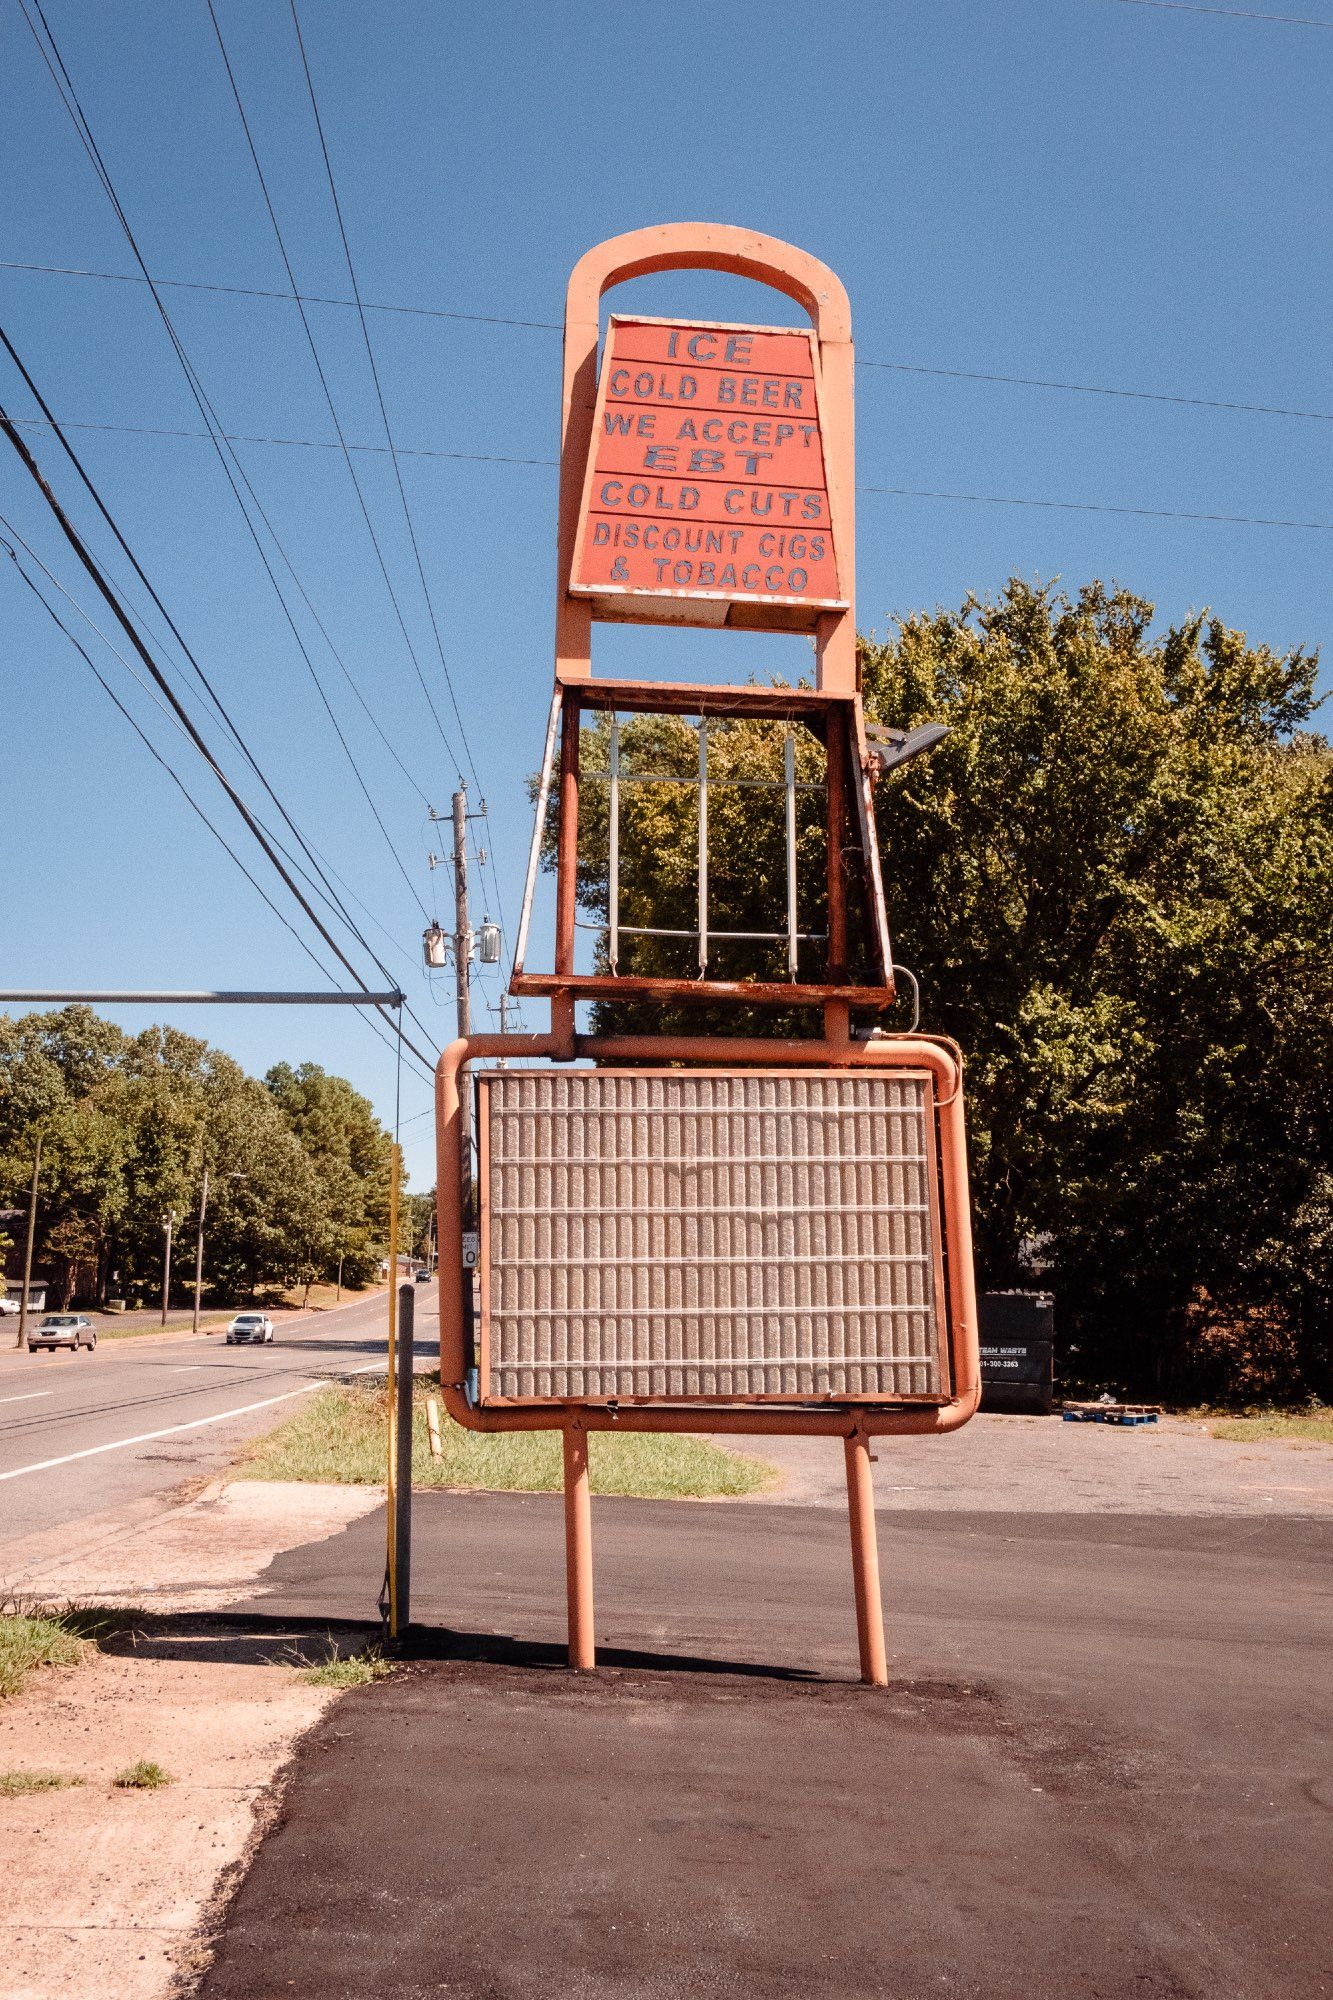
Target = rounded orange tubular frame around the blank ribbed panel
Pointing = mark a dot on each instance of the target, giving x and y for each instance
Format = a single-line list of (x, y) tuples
[(836, 1419)]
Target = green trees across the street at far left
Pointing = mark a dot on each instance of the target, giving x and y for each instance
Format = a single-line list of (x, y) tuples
[(299, 1167)]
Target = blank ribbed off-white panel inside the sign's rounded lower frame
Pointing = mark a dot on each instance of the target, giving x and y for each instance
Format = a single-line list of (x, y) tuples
[(674, 1235)]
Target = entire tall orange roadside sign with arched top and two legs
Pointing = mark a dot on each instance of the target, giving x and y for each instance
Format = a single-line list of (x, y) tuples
[(653, 1253)]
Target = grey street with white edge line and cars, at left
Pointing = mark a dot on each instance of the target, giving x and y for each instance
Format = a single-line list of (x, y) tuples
[(83, 1435)]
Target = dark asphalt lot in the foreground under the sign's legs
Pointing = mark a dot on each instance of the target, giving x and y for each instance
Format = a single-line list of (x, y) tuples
[(1106, 1767)]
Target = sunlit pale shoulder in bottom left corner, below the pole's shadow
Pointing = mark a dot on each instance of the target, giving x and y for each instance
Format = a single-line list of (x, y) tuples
[(111, 1891)]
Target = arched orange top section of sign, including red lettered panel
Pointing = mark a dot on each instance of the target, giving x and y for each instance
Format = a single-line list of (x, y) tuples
[(776, 363)]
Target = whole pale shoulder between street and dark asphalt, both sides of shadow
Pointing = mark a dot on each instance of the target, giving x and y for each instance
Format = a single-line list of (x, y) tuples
[(113, 1893)]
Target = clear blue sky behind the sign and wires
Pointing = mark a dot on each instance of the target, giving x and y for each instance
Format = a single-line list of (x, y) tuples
[(1084, 191)]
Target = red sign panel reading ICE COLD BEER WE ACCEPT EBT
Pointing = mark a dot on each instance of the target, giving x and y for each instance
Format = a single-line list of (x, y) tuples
[(708, 481)]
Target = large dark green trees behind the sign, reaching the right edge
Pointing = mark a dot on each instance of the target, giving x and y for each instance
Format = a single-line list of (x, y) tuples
[(1116, 885)]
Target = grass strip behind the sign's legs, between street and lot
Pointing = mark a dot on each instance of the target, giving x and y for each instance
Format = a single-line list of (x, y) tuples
[(341, 1437)]
